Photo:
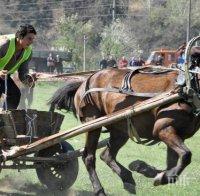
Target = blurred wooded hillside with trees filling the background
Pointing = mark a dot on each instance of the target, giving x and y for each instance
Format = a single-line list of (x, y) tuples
[(140, 26)]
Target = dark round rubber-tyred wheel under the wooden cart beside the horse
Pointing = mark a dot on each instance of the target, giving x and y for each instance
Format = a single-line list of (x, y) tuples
[(57, 176)]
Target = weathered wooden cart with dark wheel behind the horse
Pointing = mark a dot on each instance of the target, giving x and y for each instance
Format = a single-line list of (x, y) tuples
[(20, 127)]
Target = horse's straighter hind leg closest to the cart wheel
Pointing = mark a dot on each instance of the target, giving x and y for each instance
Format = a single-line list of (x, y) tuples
[(89, 160)]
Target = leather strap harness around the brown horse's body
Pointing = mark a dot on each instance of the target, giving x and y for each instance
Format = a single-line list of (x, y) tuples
[(127, 90)]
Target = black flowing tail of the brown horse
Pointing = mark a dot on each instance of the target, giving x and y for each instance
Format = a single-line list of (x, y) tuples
[(63, 98)]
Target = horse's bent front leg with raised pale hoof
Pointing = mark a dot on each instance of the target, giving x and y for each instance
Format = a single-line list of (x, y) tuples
[(172, 140)]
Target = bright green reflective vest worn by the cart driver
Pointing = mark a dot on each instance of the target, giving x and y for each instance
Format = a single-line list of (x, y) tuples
[(10, 52)]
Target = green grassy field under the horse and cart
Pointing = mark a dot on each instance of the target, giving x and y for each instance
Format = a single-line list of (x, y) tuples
[(26, 182)]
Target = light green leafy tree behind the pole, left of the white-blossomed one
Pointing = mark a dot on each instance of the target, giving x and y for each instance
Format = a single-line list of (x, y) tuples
[(70, 33)]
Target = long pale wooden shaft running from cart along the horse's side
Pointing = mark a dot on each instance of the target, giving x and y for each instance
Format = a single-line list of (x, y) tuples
[(94, 124)]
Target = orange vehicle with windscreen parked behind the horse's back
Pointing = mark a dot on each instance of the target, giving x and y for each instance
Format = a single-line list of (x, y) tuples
[(163, 57)]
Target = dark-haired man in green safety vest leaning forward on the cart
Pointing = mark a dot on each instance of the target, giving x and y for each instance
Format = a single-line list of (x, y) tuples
[(15, 54)]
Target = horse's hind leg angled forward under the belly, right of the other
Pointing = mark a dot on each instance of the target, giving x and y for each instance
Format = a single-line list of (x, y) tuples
[(117, 140)]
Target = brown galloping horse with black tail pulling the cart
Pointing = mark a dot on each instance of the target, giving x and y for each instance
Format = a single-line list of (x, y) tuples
[(171, 123)]
